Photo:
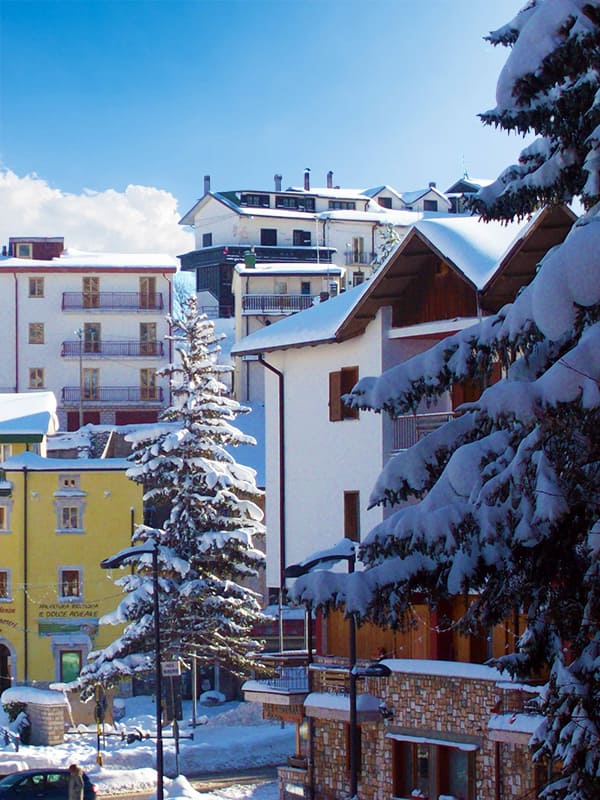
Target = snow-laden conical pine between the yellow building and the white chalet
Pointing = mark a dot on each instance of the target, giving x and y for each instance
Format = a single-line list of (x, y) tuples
[(206, 553)]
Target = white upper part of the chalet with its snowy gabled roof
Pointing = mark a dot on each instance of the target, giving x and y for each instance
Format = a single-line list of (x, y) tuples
[(322, 458)]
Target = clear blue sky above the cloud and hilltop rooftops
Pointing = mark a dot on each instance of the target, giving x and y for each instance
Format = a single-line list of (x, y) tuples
[(103, 94)]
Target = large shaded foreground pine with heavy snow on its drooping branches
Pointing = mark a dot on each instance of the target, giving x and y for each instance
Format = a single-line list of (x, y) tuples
[(508, 494)]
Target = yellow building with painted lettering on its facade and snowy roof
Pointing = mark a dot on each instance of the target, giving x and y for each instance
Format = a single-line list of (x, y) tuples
[(58, 519)]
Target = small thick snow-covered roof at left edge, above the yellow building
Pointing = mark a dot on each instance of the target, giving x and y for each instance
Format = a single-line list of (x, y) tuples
[(28, 414)]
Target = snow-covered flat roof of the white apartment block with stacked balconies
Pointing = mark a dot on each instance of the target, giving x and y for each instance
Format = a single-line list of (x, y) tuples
[(78, 259)]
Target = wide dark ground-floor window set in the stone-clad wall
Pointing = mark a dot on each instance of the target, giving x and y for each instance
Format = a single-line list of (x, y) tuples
[(428, 770)]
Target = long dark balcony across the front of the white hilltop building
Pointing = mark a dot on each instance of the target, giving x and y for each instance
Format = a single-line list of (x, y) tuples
[(234, 254)]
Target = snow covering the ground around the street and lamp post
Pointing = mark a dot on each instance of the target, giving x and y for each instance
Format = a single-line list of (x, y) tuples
[(231, 736)]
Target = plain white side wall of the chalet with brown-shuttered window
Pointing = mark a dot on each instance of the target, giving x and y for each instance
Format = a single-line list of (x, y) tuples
[(322, 458)]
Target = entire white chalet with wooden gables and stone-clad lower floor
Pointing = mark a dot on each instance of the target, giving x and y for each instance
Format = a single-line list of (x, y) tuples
[(432, 721)]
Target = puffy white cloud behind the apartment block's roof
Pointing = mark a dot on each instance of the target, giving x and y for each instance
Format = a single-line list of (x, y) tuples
[(141, 219)]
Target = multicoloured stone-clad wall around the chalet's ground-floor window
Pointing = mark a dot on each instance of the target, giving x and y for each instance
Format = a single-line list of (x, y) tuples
[(430, 705)]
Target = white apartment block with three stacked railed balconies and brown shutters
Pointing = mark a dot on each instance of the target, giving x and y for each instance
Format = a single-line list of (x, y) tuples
[(89, 327)]
